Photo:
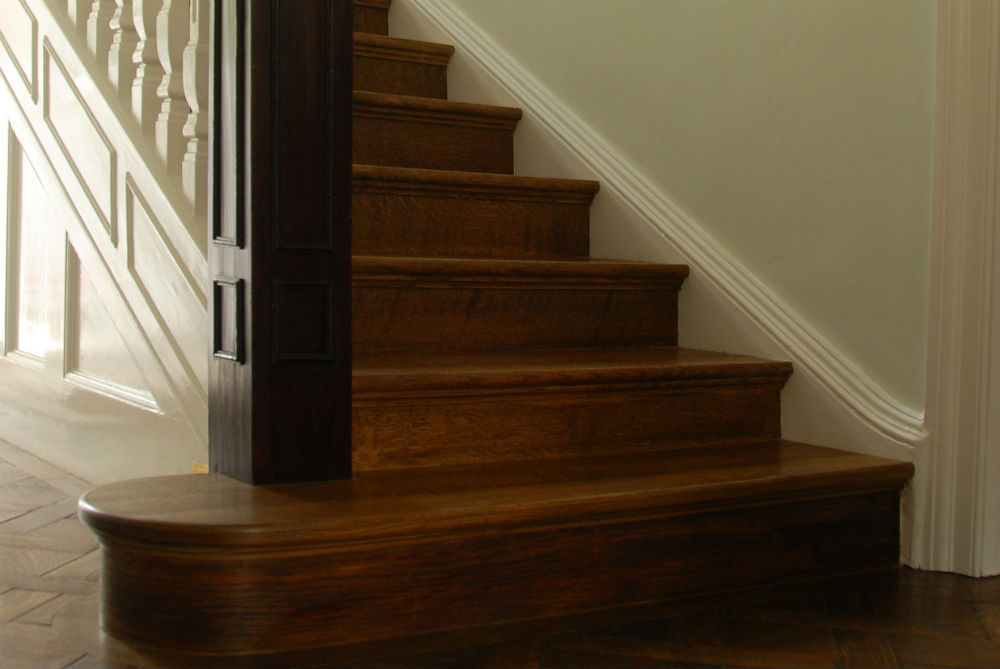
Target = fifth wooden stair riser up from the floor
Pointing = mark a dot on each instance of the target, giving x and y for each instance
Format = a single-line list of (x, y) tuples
[(430, 145)]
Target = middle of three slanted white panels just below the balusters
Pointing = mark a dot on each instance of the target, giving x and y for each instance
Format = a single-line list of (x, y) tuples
[(86, 148)]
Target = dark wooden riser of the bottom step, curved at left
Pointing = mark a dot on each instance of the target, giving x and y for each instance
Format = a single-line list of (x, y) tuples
[(339, 593)]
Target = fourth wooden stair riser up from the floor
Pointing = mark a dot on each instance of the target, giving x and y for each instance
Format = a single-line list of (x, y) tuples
[(438, 223)]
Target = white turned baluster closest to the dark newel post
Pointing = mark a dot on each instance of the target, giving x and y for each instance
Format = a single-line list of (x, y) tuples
[(194, 172)]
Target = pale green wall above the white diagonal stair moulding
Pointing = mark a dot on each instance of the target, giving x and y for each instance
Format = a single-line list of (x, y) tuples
[(798, 133)]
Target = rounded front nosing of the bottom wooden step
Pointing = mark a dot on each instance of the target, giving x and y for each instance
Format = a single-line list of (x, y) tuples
[(429, 515)]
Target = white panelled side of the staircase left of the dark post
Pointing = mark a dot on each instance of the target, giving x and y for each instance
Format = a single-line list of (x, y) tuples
[(103, 346)]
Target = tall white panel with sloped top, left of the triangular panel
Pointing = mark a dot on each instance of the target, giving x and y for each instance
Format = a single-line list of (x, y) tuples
[(40, 264)]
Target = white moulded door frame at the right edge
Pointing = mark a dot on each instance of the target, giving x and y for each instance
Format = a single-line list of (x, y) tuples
[(957, 510)]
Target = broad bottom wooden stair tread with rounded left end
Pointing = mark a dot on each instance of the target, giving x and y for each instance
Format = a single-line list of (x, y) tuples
[(215, 510)]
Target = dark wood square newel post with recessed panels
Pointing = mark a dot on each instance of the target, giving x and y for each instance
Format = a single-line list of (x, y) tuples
[(279, 245)]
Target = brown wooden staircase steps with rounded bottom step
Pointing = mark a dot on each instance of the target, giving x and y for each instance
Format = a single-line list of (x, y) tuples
[(530, 443)]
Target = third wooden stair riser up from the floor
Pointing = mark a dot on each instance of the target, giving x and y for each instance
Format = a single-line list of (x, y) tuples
[(447, 316)]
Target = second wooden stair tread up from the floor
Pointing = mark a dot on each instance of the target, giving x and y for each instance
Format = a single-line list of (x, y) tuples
[(538, 369)]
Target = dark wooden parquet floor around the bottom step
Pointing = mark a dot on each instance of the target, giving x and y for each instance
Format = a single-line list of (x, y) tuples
[(855, 621)]
